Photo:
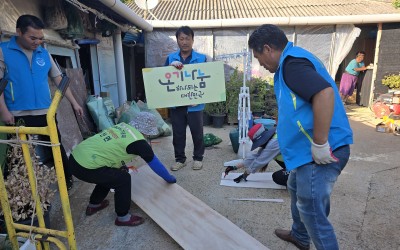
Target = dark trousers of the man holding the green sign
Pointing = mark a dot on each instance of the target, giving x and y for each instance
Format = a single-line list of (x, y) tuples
[(180, 119)]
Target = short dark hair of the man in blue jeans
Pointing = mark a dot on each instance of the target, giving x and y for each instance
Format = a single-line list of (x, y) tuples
[(267, 34)]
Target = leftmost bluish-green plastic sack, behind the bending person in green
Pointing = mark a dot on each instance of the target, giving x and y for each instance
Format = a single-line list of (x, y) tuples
[(99, 112)]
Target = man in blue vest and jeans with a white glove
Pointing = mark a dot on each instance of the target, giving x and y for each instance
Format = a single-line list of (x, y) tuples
[(314, 134)]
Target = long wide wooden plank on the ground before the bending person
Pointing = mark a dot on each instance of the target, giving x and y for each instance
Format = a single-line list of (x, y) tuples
[(188, 220)]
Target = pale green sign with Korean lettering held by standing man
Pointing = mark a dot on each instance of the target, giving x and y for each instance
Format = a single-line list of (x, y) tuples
[(193, 84)]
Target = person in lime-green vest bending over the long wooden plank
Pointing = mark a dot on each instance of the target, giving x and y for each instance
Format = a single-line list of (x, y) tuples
[(101, 159)]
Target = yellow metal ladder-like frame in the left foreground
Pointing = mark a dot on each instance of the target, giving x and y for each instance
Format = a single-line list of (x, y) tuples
[(42, 234)]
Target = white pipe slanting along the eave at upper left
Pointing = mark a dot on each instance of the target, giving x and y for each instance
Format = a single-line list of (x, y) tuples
[(128, 13)]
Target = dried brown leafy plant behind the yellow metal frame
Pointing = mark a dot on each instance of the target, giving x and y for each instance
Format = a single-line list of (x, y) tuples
[(18, 187)]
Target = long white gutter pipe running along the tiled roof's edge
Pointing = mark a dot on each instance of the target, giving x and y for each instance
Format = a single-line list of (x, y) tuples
[(248, 22)]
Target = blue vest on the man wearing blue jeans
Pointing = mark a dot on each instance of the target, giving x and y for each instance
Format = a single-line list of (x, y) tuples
[(295, 126)]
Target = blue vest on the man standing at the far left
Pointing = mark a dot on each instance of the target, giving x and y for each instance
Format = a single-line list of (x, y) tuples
[(28, 87)]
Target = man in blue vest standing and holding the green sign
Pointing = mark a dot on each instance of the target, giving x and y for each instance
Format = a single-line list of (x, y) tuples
[(183, 116)]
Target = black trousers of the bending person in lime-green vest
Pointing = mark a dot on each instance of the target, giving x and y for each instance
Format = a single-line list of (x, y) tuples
[(106, 178)]
